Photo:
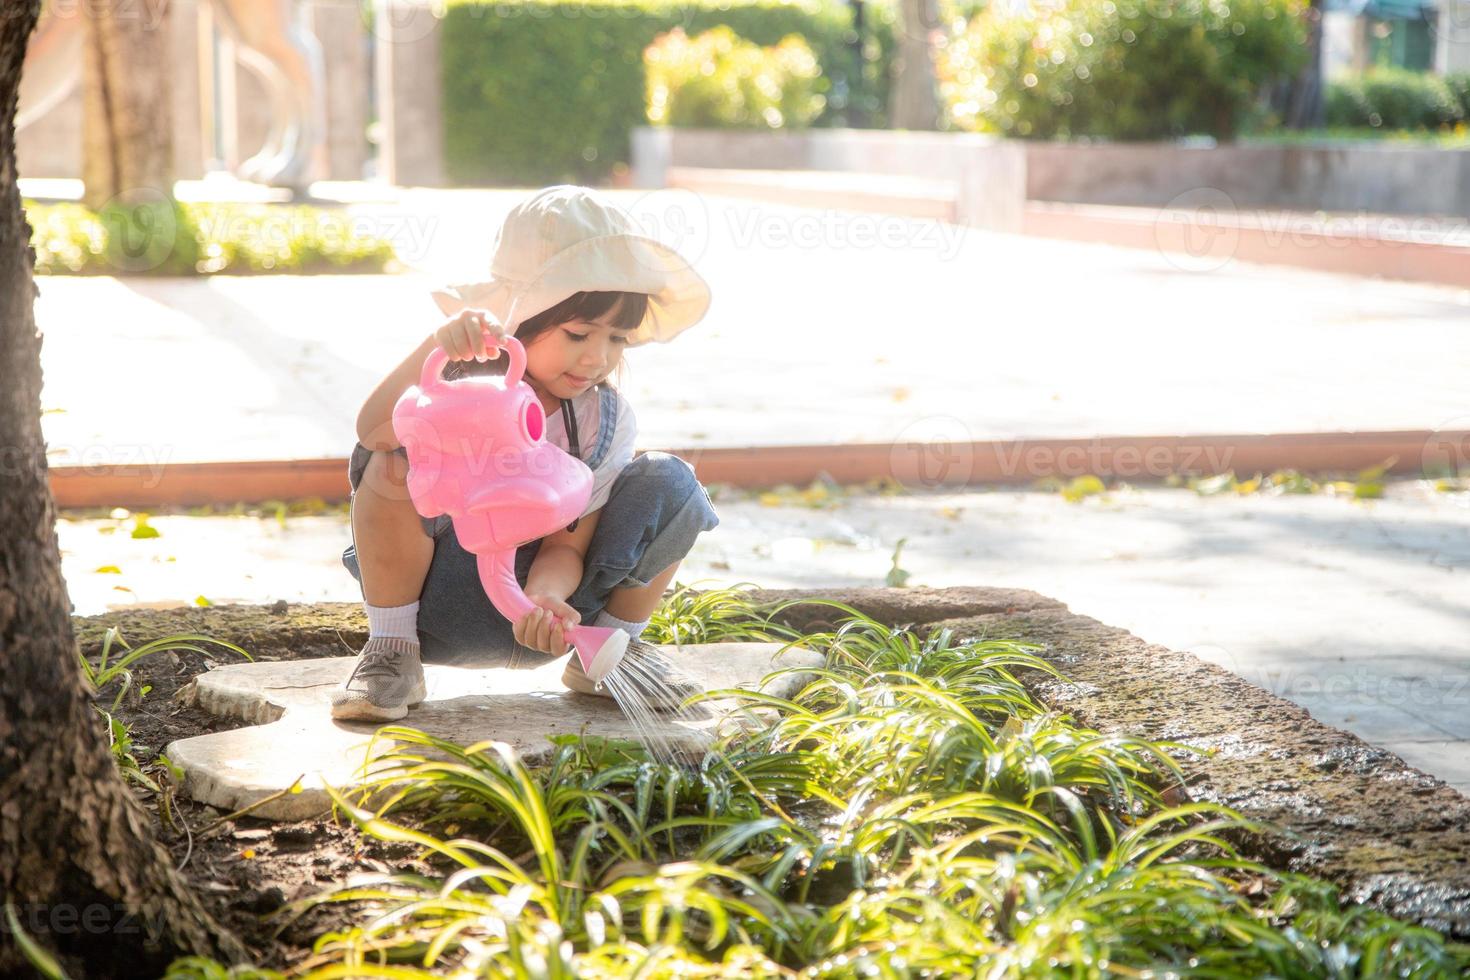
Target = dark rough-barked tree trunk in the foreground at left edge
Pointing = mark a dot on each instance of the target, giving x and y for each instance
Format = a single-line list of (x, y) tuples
[(80, 866)]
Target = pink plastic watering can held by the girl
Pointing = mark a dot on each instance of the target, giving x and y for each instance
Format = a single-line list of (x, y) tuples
[(477, 453)]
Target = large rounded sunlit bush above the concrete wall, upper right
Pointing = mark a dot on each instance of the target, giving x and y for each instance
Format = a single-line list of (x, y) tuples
[(1121, 70)]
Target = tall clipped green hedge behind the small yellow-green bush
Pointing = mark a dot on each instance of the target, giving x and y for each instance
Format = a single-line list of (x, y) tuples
[(545, 92)]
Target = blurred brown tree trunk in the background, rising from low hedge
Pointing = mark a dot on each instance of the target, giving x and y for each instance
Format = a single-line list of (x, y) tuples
[(127, 111)]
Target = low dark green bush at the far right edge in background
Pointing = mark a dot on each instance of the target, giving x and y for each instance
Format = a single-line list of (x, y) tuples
[(1397, 99)]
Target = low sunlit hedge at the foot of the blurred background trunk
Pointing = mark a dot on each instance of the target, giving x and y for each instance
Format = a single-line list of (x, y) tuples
[(171, 239)]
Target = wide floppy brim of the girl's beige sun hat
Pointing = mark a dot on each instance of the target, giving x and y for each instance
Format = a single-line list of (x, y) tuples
[(678, 296)]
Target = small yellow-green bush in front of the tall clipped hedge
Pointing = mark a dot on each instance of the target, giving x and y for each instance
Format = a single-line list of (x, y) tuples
[(723, 80)]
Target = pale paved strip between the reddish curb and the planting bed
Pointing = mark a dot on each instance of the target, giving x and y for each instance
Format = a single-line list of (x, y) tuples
[(1356, 610)]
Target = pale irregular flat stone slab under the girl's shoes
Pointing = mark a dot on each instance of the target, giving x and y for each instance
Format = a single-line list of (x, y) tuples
[(296, 738)]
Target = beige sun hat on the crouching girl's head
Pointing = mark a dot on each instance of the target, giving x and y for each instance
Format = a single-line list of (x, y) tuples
[(568, 239)]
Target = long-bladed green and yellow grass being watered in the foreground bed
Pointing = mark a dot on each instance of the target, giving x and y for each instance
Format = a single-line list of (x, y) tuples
[(911, 812)]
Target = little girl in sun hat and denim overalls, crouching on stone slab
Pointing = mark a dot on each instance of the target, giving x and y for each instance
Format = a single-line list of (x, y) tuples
[(576, 283)]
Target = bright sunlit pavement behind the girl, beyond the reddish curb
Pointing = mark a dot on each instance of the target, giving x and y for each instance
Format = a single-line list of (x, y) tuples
[(827, 327)]
